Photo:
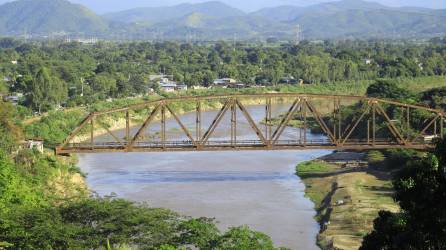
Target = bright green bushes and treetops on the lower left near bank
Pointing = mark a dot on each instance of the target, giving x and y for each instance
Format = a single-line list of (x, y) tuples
[(44, 204)]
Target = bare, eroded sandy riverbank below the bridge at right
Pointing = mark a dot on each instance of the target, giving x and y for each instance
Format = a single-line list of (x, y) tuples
[(347, 198)]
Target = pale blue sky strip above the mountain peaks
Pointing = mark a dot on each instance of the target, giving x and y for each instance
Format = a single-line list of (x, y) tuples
[(104, 6)]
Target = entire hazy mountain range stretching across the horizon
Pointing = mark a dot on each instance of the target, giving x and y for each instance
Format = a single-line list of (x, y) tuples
[(215, 20)]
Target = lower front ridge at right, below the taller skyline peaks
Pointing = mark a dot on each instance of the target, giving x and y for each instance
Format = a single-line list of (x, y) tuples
[(371, 23)]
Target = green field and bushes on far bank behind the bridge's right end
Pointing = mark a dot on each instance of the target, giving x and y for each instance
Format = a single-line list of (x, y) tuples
[(431, 94)]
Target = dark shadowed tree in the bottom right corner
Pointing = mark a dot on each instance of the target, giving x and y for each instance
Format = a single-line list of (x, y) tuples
[(419, 190)]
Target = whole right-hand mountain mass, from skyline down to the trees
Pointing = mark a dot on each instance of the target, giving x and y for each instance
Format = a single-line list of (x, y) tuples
[(360, 19)]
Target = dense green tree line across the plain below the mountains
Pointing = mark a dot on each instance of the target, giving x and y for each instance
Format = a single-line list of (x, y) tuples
[(55, 73)]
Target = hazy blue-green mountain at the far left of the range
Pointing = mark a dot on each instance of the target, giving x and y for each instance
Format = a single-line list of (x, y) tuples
[(48, 16)]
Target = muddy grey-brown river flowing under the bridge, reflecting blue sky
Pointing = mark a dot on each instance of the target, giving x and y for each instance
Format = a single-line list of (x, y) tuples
[(254, 188)]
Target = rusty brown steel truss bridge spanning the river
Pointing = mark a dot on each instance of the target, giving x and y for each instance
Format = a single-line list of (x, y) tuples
[(375, 124)]
